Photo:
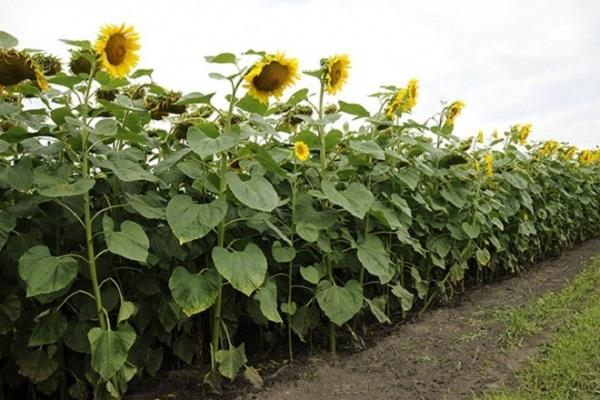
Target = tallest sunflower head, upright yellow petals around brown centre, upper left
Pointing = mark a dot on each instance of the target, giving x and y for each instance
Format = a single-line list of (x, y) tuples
[(117, 46)]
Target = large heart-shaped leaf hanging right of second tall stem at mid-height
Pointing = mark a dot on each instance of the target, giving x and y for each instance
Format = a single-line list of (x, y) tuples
[(245, 270)]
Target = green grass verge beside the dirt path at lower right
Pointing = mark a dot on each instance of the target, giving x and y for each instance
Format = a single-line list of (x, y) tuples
[(568, 367)]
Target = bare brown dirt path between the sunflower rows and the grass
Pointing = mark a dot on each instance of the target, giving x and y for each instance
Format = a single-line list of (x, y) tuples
[(449, 354)]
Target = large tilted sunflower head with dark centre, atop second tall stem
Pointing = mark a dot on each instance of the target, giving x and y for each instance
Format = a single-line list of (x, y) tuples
[(271, 76)]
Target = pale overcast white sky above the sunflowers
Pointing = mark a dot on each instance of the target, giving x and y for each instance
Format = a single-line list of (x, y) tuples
[(510, 61)]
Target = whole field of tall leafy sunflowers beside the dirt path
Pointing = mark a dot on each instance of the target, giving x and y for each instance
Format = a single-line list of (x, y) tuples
[(142, 230)]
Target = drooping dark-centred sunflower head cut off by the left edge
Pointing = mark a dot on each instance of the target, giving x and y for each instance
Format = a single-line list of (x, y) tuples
[(18, 66)]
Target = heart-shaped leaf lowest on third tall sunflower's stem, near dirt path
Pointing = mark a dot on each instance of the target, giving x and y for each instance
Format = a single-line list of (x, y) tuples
[(340, 304)]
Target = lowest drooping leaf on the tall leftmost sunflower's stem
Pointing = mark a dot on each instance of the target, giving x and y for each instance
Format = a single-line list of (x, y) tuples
[(110, 349)]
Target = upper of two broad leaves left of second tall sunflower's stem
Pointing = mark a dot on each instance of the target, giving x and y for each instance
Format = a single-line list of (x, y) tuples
[(190, 221)]
